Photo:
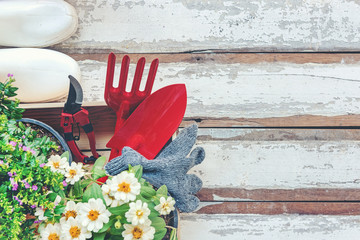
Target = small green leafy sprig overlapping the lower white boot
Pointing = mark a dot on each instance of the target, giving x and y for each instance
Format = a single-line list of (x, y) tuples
[(8, 105)]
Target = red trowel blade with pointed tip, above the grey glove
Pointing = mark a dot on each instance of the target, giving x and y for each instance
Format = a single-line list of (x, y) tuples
[(153, 122)]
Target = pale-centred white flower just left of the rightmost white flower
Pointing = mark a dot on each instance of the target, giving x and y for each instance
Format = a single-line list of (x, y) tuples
[(138, 213)]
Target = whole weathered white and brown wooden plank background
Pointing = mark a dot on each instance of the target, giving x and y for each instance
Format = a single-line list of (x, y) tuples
[(274, 87)]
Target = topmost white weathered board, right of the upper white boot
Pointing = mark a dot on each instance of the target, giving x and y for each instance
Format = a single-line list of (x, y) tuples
[(181, 25)]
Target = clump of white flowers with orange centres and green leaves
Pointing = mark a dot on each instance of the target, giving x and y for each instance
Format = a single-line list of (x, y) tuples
[(125, 207)]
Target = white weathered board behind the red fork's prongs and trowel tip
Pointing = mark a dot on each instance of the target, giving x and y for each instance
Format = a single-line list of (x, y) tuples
[(258, 90)]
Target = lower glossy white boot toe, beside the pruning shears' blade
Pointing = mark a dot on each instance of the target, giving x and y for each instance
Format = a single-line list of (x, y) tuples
[(41, 74)]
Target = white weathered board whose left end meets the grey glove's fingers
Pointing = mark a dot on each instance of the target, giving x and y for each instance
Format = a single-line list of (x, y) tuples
[(279, 164)]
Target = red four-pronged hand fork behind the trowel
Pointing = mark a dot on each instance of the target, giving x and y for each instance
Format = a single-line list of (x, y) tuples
[(122, 102)]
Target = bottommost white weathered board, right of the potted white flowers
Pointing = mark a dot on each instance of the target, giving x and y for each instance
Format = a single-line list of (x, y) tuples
[(268, 227)]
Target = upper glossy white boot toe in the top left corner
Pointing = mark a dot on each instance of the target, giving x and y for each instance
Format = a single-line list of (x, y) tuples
[(36, 23)]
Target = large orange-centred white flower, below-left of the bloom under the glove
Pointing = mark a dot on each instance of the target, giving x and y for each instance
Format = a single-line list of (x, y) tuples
[(94, 214)]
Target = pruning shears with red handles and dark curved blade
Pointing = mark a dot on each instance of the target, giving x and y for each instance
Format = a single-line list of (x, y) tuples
[(73, 114)]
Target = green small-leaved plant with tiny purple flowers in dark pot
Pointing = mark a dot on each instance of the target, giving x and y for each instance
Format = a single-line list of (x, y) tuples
[(24, 183)]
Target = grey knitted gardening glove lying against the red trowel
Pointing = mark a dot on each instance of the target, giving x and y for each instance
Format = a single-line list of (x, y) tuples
[(169, 168)]
